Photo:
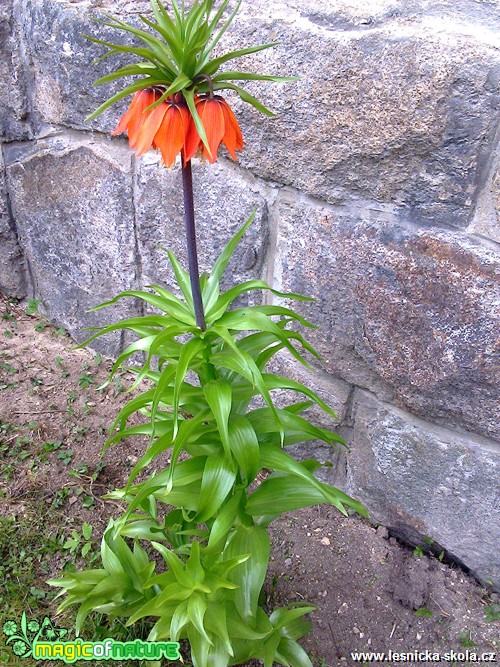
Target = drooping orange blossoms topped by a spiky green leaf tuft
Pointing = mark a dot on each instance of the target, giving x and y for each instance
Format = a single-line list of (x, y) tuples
[(174, 108)]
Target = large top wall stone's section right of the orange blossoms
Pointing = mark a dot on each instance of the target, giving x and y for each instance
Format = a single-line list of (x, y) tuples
[(399, 110)]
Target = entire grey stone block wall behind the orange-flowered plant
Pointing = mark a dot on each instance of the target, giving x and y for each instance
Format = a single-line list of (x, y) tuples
[(376, 189)]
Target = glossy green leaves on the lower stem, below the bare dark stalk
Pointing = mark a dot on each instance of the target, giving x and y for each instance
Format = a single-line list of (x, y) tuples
[(205, 514)]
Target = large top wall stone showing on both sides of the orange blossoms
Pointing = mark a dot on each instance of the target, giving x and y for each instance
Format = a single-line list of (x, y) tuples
[(389, 115)]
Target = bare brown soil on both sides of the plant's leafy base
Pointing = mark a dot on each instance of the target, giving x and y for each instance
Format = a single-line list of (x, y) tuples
[(372, 593)]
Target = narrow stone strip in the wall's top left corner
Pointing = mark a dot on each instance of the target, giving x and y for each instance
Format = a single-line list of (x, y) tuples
[(13, 90)]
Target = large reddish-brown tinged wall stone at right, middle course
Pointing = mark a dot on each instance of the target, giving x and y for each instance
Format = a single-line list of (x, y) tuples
[(410, 314)]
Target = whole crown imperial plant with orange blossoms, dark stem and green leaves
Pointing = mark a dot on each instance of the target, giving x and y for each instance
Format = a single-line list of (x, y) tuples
[(204, 515)]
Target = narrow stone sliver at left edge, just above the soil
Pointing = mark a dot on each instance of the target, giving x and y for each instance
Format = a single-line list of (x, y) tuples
[(12, 278)]
